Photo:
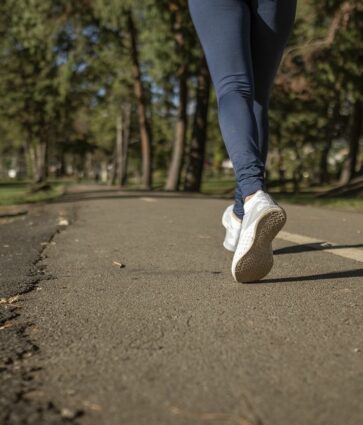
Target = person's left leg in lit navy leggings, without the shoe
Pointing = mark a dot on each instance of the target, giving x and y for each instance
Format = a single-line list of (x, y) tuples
[(223, 27)]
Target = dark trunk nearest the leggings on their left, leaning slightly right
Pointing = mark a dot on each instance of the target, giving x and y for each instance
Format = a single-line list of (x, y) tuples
[(195, 160)]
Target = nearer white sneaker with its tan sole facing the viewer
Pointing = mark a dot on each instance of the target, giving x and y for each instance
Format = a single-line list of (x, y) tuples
[(263, 219)]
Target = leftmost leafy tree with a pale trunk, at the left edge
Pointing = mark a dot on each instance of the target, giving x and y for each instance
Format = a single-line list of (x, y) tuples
[(28, 75)]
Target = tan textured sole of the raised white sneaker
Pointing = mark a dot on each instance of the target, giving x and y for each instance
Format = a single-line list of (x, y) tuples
[(258, 260)]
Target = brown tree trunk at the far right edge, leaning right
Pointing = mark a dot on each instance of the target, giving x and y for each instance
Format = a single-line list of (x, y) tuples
[(348, 171)]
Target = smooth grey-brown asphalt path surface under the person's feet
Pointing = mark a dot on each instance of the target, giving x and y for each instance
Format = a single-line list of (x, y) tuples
[(169, 338)]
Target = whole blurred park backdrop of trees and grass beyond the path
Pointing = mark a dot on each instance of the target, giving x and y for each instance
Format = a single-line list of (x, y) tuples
[(118, 93)]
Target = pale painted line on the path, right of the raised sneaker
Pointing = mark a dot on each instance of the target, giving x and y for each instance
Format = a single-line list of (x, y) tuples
[(351, 253)]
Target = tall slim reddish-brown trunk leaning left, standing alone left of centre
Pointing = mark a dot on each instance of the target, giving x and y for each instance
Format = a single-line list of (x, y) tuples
[(144, 125)]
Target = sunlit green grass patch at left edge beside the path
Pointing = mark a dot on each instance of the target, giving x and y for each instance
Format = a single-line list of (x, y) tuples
[(18, 193)]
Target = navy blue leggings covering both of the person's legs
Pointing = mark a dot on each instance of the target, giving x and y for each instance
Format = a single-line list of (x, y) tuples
[(243, 41)]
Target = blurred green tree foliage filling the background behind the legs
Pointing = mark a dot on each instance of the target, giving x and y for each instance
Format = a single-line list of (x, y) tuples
[(66, 73)]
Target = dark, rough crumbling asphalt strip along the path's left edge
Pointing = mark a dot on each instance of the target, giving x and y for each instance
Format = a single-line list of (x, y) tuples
[(22, 241)]
